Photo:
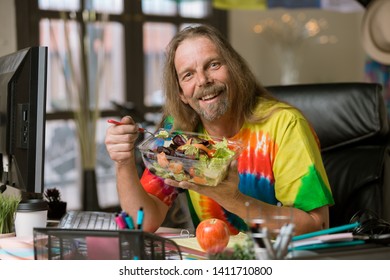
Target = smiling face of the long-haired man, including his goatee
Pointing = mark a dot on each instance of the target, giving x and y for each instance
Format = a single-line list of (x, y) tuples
[(203, 77)]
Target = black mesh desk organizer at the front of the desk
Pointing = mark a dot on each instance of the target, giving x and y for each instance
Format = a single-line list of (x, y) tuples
[(75, 244)]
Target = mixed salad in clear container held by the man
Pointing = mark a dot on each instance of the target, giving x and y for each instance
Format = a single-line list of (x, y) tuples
[(189, 157)]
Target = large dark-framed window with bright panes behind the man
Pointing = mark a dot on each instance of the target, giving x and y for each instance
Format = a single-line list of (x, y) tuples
[(125, 53)]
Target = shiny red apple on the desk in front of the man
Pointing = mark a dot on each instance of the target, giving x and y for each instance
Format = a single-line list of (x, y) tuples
[(213, 235)]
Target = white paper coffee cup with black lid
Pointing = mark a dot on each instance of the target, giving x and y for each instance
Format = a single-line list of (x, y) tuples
[(30, 214)]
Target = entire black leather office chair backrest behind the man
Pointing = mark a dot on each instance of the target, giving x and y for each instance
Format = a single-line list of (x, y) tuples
[(352, 125)]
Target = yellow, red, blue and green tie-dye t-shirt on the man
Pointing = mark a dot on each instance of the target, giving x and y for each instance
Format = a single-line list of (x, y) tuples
[(280, 163)]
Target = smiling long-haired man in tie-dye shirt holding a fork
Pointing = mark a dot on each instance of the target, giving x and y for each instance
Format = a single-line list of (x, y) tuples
[(210, 89)]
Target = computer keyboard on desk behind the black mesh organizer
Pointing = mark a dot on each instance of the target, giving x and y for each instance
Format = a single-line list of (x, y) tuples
[(96, 220)]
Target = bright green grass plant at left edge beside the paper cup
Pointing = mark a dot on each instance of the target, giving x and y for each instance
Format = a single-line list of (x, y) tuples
[(8, 206)]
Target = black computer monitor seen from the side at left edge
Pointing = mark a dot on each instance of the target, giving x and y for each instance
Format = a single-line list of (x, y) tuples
[(23, 76)]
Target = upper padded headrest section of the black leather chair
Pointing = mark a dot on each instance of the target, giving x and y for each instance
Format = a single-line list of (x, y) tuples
[(341, 113)]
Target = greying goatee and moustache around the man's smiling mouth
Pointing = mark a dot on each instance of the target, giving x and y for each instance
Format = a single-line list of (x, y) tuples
[(214, 110)]
